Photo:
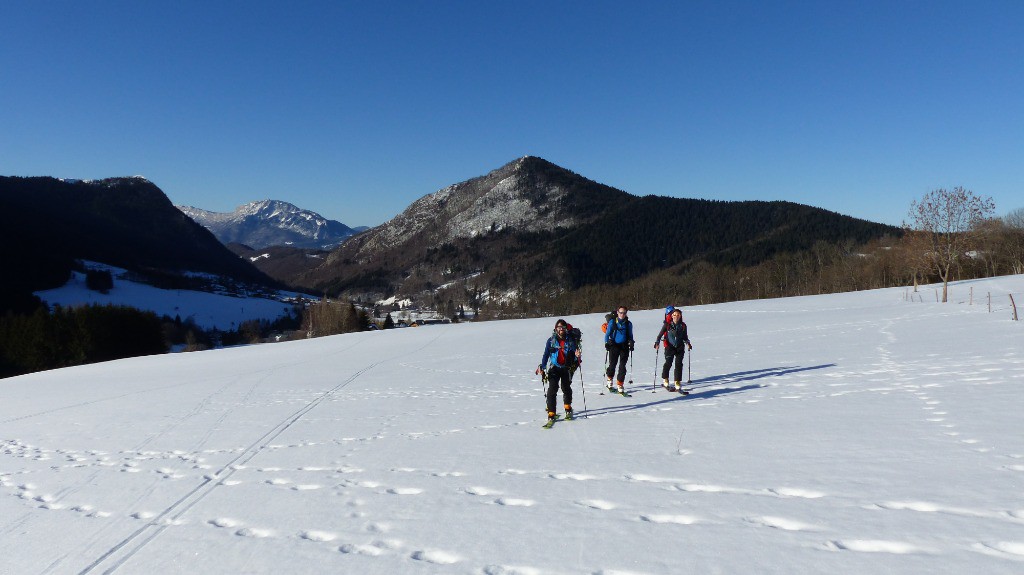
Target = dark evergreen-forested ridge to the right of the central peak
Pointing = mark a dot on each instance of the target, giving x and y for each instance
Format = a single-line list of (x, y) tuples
[(655, 233)]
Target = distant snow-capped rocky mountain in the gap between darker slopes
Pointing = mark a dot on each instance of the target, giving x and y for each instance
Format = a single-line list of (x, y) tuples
[(272, 223)]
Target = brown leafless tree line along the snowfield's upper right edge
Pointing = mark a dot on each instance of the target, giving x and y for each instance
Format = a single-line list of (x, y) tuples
[(907, 259)]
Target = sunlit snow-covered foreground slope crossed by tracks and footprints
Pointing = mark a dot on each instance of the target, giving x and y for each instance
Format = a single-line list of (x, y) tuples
[(856, 433)]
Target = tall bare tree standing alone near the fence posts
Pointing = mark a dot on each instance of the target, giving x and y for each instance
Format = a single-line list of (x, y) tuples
[(950, 220)]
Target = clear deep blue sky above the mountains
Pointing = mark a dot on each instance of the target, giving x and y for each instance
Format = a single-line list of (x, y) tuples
[(355, 110)]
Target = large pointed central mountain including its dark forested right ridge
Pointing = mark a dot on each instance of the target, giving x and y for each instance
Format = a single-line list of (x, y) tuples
[(532, 228)]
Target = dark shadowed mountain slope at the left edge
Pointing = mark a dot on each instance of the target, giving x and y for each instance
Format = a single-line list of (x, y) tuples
[(47, 224)]
